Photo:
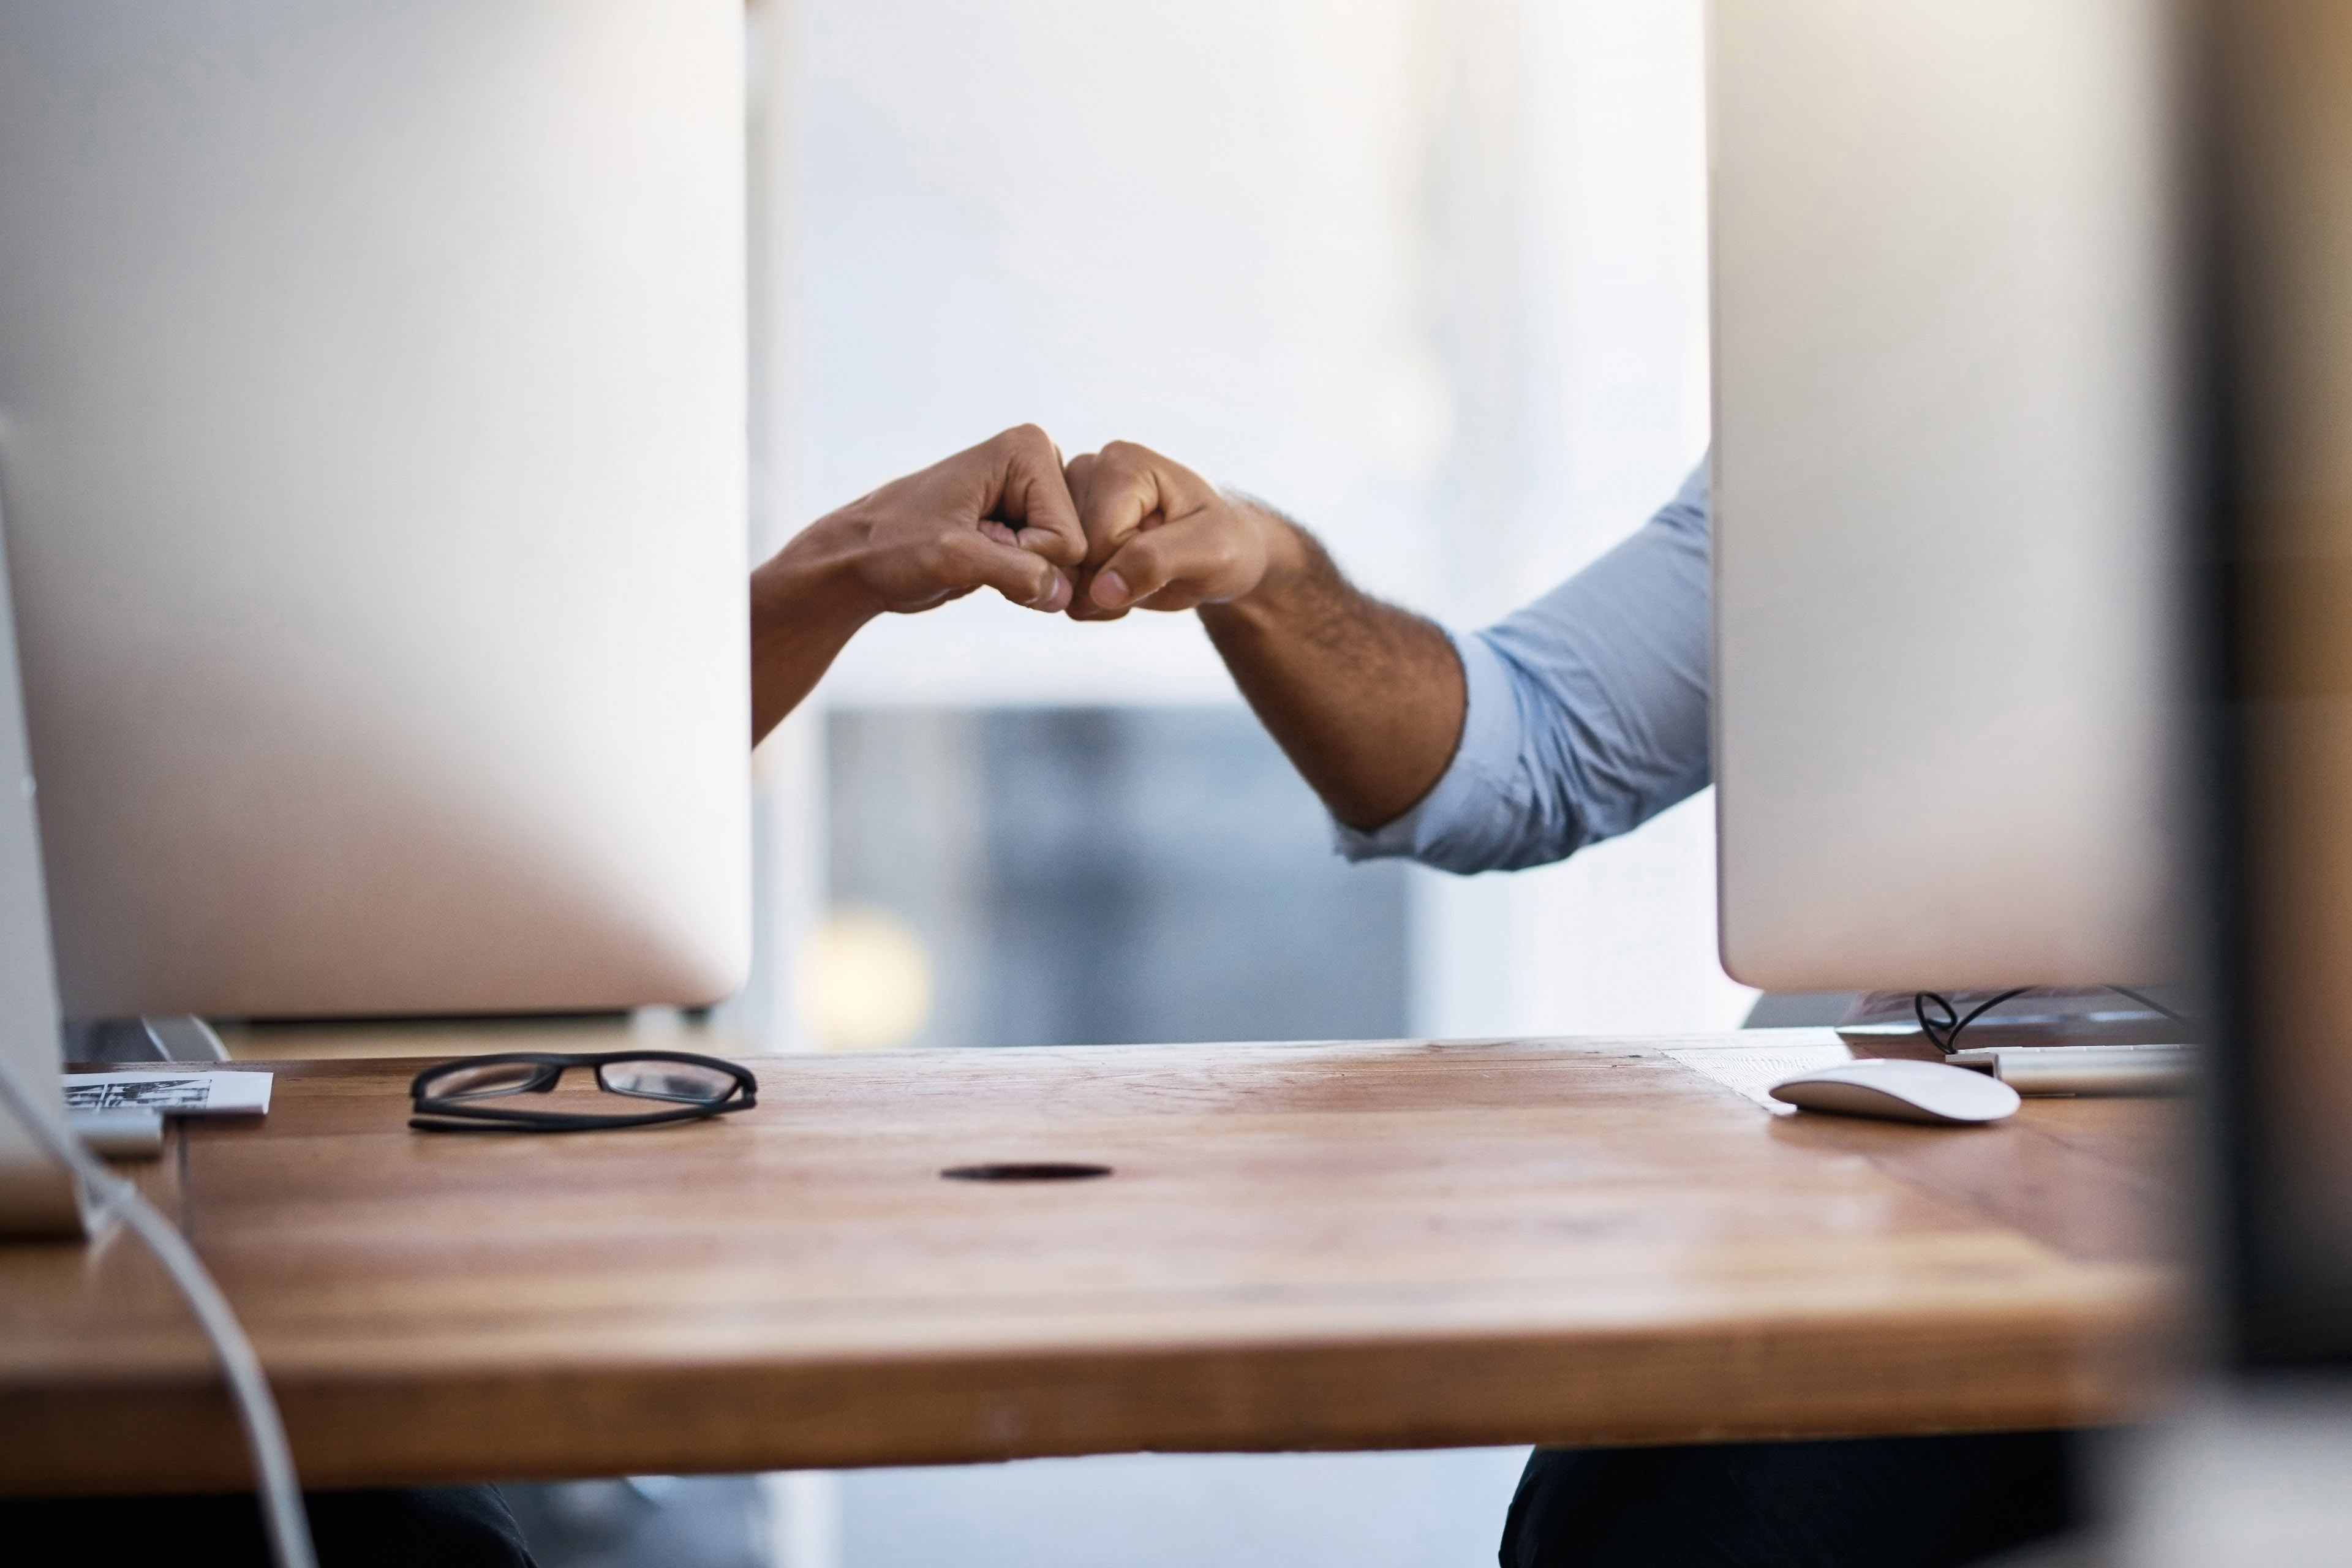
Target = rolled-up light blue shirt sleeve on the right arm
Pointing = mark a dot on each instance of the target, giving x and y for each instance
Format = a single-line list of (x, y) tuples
[(1589, 711)]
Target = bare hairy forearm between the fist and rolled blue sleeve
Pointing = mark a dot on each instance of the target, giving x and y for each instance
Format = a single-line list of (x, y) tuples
[(1363, 697)]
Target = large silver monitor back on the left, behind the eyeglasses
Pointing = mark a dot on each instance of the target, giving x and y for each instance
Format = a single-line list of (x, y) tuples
[(373, 450)]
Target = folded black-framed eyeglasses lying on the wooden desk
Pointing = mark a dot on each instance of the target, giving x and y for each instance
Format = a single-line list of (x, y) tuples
[(467, 1097)]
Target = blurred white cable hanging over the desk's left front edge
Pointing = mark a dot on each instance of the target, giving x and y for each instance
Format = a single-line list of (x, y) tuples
[(265, 1435)]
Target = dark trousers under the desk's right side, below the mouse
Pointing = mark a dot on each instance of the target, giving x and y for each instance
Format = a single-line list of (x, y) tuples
[(1869, 1503)]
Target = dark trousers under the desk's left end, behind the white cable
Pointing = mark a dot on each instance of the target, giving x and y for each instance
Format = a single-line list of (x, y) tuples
[(446, 1527)]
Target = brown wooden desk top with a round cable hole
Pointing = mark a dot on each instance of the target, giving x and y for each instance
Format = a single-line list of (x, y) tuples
[(1302, 1247)]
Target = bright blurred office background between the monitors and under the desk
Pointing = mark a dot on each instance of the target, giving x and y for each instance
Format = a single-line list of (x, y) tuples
[(1424, 274)]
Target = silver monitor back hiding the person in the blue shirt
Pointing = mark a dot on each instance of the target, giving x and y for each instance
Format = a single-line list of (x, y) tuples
[(1946, 492)]
